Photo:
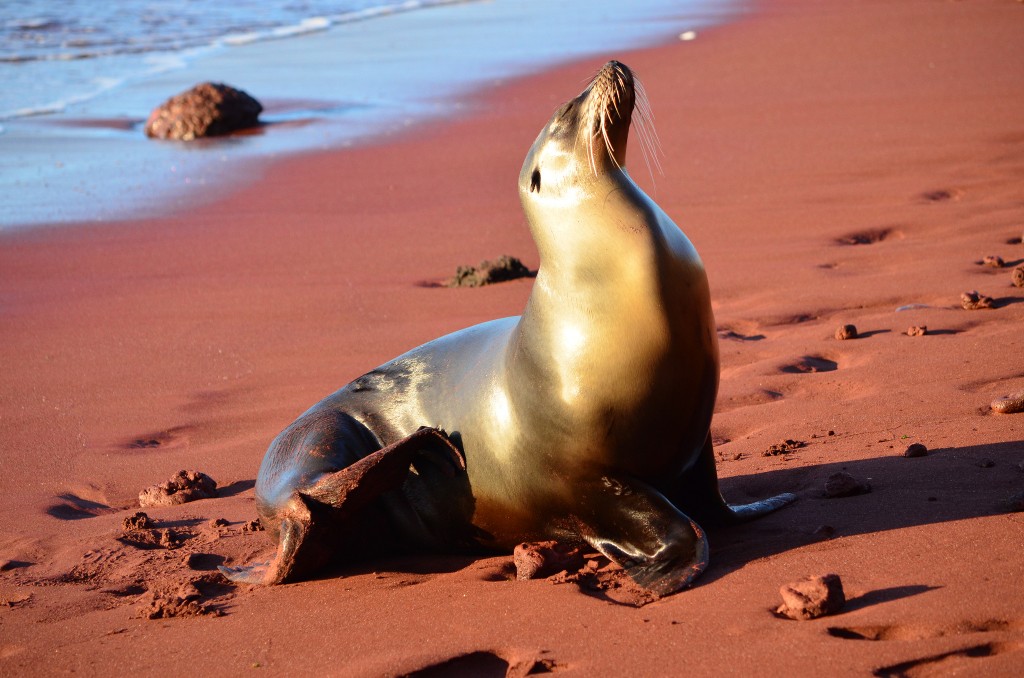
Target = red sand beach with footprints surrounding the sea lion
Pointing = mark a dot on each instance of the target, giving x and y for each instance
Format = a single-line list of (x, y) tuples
[(832, 162)]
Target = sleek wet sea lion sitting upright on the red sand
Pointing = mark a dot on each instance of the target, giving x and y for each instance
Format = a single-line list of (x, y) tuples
[(586, 419)]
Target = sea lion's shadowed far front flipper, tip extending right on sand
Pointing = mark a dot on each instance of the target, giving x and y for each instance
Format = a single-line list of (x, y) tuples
[(698, 494)]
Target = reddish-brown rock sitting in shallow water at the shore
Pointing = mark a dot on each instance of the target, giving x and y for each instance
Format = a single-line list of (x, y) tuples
[(206, 110)]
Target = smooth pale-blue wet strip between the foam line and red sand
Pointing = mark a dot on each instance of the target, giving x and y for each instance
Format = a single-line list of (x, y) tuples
[(353, 84)]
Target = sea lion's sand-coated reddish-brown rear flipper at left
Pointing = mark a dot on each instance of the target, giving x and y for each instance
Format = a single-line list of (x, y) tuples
[(314, 519)]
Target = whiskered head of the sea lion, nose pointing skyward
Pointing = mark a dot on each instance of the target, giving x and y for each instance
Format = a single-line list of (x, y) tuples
[(586, 138)]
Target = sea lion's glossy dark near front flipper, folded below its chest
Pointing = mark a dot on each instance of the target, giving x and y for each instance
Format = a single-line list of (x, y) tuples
[(660, 547)]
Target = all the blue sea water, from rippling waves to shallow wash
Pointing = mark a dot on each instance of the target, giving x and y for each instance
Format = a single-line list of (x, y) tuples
[(78, 78)]
